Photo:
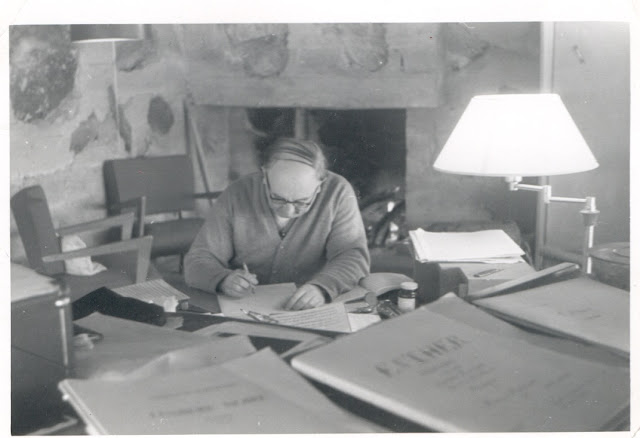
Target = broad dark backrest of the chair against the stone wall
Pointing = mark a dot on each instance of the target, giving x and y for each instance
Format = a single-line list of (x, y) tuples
[(167, 182)]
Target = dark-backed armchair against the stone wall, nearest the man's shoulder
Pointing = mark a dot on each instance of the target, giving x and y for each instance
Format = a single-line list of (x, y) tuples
[(152, 186)]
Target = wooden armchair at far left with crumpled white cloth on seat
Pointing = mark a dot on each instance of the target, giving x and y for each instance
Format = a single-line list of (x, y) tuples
[(127, 260)]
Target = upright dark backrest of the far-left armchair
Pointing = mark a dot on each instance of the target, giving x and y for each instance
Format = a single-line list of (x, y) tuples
[(33, 218)]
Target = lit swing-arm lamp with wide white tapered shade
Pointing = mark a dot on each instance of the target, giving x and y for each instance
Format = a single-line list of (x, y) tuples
[(518, 135)]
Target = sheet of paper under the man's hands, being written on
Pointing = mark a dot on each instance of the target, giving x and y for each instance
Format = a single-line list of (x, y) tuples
[(267, 299)]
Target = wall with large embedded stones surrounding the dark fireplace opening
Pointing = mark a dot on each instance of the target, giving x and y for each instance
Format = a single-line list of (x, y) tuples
[(76, 105)]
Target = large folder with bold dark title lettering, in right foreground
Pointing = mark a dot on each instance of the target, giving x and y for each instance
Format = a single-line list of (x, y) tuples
[(453, 375)]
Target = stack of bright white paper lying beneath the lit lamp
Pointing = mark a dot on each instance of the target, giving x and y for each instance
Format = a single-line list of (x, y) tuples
[(487, 246)]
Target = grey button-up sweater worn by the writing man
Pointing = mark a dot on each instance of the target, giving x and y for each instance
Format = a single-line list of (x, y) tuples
[(326, 246)]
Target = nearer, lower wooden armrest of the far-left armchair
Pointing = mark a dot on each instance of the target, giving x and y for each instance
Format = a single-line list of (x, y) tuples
[(142, 245)]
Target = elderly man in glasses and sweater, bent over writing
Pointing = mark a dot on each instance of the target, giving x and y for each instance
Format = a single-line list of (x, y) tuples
[(294, 221)]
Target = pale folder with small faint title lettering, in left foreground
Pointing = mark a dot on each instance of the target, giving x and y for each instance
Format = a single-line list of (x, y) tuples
[(212, 399)]
